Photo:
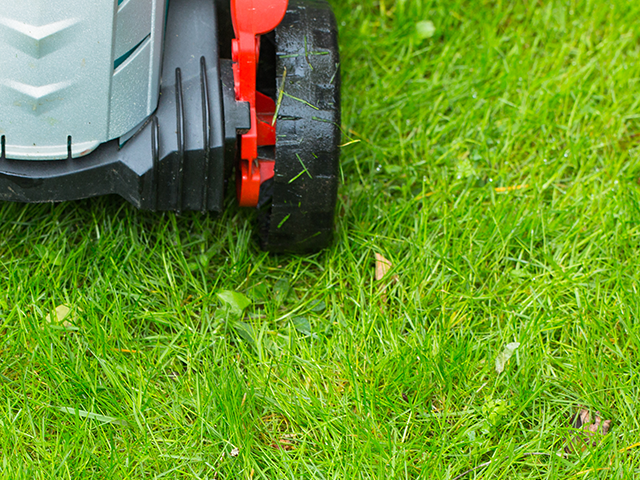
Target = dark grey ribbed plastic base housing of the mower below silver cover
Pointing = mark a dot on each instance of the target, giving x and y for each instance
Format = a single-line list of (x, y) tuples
[(180, 157)]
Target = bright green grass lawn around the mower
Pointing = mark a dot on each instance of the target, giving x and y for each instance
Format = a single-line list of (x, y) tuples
[(497, 170)]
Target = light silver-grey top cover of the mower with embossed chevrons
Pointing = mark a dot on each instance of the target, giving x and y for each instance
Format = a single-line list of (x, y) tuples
[(76, 73)]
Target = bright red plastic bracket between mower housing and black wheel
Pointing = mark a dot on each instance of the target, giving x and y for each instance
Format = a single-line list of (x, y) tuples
[(252, 18)]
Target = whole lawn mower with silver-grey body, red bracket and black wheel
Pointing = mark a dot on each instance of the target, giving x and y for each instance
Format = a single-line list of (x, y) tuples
[(160, 101)]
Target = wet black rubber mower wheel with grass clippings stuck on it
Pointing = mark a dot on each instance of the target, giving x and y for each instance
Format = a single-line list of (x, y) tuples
[(297, 207)]
